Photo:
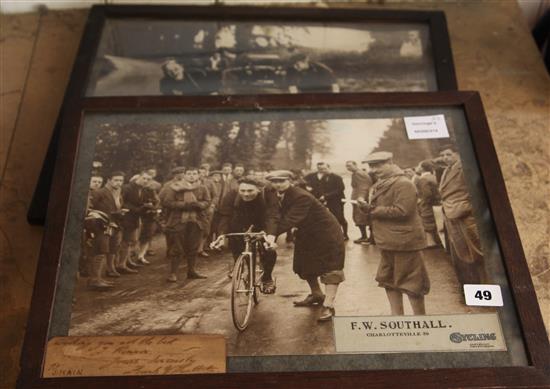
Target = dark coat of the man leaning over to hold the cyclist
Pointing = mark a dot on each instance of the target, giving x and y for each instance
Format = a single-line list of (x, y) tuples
[(319, 241)]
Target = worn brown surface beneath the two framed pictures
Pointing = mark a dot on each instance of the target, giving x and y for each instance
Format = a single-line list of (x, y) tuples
[(493, 53)]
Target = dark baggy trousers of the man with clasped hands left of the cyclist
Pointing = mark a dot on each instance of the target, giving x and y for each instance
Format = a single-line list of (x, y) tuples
[(184, 241)]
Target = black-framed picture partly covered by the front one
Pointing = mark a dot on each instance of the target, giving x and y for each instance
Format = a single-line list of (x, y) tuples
[(220, 50)]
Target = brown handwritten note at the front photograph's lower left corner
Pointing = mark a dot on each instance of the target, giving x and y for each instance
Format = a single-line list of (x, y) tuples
[(134, 355)]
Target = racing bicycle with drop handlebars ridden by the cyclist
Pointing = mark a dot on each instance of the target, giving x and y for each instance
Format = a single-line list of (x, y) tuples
[(246, 277)]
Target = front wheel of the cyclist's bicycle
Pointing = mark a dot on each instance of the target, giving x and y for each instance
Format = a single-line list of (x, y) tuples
[(242, 292)]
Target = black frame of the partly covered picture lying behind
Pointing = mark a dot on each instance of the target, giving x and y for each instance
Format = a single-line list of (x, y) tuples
[(443, 60)]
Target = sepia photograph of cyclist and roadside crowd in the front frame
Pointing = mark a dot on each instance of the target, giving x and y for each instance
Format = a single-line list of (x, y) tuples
[(266, 230)]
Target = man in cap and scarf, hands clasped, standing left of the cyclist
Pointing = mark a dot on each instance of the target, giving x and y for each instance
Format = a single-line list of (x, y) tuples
[(186, 202)]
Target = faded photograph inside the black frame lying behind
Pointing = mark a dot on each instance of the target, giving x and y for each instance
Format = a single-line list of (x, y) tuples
[(189, 57)]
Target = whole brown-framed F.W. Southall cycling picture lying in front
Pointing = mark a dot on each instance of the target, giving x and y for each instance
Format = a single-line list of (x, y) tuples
[(335, 239)]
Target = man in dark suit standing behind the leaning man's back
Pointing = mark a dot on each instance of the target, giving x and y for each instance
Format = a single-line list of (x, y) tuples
[(328, 188)]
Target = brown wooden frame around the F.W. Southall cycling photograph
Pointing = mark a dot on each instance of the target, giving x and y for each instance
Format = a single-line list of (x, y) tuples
[(537, 374)]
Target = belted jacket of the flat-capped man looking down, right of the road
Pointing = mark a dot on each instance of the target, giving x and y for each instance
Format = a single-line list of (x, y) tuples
[(395, 220)]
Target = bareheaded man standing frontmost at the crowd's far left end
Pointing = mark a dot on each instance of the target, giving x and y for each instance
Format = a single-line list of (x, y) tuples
[(104, 229)]
